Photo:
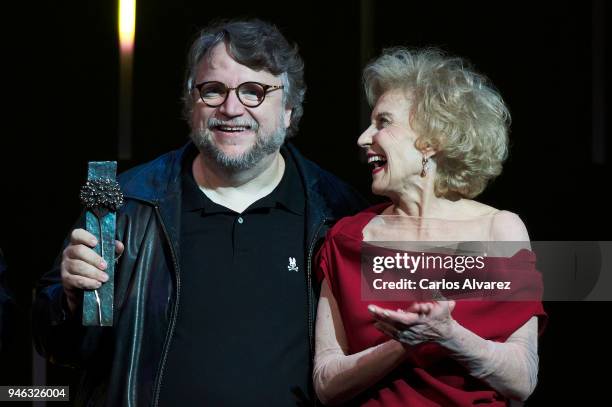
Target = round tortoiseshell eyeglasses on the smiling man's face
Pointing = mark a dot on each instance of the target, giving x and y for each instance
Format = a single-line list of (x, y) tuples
[(250, 94)]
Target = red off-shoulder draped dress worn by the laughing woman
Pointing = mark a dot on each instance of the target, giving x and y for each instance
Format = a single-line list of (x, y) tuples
[(429, 377)]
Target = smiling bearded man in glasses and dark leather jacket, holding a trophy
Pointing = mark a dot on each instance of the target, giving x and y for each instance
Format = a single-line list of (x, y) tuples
[(214, 295)]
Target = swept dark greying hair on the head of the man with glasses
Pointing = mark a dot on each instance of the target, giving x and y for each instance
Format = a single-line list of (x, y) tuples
[(258, 45)]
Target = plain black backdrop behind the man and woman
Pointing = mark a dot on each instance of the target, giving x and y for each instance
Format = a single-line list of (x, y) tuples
[(550, 62)]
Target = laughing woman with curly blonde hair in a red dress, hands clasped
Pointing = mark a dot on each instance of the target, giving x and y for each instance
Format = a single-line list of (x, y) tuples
[(438, 134)]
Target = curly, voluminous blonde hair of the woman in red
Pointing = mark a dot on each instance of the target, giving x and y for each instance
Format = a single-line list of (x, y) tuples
[(453, 109)]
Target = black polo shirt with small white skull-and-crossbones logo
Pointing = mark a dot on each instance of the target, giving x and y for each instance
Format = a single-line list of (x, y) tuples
[(241, 336)]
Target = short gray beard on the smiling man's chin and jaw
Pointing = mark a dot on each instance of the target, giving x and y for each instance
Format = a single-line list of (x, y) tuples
[(264, 145)]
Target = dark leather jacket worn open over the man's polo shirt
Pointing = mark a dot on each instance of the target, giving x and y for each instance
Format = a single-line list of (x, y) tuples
[(124, 365)]
